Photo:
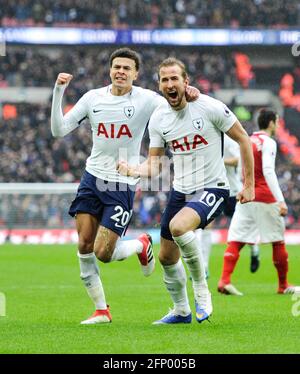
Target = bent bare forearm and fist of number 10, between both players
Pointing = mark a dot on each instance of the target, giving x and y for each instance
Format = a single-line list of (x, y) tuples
[(149, 167)]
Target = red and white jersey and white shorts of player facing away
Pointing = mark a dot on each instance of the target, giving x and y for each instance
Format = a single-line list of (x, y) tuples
[(260, 220)]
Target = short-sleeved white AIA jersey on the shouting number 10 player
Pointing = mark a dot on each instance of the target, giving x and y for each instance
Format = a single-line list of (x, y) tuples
[(194, 136)]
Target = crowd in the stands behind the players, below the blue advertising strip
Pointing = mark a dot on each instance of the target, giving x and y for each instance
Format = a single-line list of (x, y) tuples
[(33, 155)]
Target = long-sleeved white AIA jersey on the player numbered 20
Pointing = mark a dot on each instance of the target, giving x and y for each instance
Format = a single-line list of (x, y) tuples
[(118, 124)]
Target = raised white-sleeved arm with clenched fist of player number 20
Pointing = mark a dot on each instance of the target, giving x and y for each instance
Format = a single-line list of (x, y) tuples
[(61, 124)]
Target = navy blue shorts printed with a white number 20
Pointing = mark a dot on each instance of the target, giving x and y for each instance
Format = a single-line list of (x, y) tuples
[(111, 203)]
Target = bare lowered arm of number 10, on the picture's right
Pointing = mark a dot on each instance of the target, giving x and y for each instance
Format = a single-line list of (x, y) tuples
[(237, 133)]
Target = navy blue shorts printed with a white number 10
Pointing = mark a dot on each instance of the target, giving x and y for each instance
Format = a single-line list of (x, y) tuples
[(208, 203)]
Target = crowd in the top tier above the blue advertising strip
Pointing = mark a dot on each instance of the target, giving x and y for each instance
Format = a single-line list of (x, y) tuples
[(150, 13)]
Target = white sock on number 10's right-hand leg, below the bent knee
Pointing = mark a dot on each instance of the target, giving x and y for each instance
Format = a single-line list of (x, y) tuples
[(191, 253)]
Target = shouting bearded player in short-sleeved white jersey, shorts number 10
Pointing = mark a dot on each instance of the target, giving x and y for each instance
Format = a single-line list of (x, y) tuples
[(194, 134)]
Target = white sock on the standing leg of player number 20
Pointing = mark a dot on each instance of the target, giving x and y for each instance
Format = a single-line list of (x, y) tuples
[(89, 273)]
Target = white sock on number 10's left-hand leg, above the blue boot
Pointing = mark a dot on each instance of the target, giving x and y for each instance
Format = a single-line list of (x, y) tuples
[(175, 281)]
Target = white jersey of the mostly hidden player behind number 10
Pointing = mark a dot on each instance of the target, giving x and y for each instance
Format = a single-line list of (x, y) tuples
[(232, 150)]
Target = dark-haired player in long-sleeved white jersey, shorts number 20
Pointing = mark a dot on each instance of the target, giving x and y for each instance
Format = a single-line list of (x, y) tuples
[(118, 115)]
